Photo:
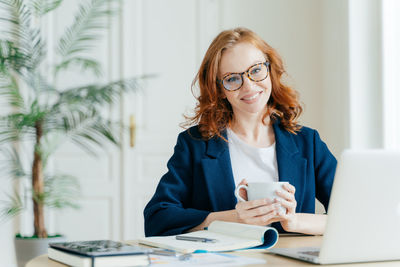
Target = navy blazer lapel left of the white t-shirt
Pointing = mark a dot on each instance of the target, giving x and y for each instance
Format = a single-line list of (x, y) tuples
[(218, 175)]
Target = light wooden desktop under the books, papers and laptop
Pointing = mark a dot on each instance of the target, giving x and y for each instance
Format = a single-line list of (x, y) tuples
[(272, 260)]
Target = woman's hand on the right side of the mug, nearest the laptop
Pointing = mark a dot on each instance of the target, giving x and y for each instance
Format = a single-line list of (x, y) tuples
[(288, 201)]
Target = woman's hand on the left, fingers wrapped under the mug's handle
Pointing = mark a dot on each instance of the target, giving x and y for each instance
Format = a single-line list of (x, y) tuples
[(256, 212)]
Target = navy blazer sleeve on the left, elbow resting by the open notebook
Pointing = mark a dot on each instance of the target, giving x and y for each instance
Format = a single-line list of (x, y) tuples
[(167, 212)]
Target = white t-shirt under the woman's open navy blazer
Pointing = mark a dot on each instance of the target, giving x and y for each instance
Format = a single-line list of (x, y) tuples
[(253, 163)]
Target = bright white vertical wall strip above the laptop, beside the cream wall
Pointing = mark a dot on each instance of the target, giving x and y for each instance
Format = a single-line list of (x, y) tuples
[(365, 72)]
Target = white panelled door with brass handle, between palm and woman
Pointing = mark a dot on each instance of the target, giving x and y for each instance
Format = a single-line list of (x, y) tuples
[(159, 40)]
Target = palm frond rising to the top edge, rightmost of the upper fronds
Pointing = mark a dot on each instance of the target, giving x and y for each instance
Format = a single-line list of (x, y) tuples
[(82, 35)]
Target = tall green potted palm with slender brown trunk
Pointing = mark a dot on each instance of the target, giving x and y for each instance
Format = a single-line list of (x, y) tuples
[(41, 116)]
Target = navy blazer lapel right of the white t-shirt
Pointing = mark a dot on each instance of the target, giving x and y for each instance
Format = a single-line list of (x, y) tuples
[(291, 165)]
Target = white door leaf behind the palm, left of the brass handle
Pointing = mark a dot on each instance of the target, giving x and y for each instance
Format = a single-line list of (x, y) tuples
[(99, 216)]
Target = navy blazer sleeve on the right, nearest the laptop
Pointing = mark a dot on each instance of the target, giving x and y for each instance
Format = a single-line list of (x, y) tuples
[(325, 168)]
